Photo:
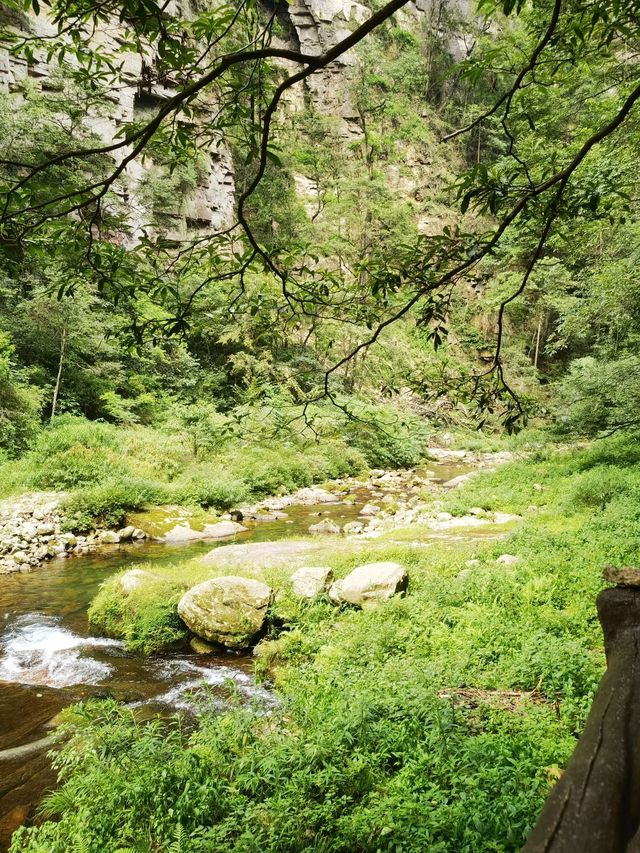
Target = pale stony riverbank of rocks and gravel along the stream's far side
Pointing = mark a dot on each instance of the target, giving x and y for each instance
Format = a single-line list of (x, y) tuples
[(39, 526)]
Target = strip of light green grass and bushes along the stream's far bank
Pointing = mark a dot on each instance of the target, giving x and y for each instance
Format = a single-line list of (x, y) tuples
[(215, 461)]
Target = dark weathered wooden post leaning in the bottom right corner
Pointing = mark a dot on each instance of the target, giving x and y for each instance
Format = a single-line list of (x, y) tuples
[(595, 807)]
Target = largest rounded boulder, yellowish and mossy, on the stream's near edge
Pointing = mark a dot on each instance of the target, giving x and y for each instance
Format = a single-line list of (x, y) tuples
[(229, 610)]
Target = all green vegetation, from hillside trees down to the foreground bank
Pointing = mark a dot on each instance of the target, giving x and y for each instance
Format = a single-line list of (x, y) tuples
[(381, 286)]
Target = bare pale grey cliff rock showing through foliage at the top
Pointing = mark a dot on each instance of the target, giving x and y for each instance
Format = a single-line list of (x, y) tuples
[(312, 26)]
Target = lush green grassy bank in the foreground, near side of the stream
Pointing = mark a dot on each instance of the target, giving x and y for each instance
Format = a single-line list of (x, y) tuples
[(436, 722)]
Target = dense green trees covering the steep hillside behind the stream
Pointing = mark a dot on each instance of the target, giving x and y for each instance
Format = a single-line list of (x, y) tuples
[(124, 332)]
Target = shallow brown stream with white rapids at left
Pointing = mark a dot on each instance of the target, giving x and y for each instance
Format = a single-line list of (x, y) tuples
[(49, 659)]
